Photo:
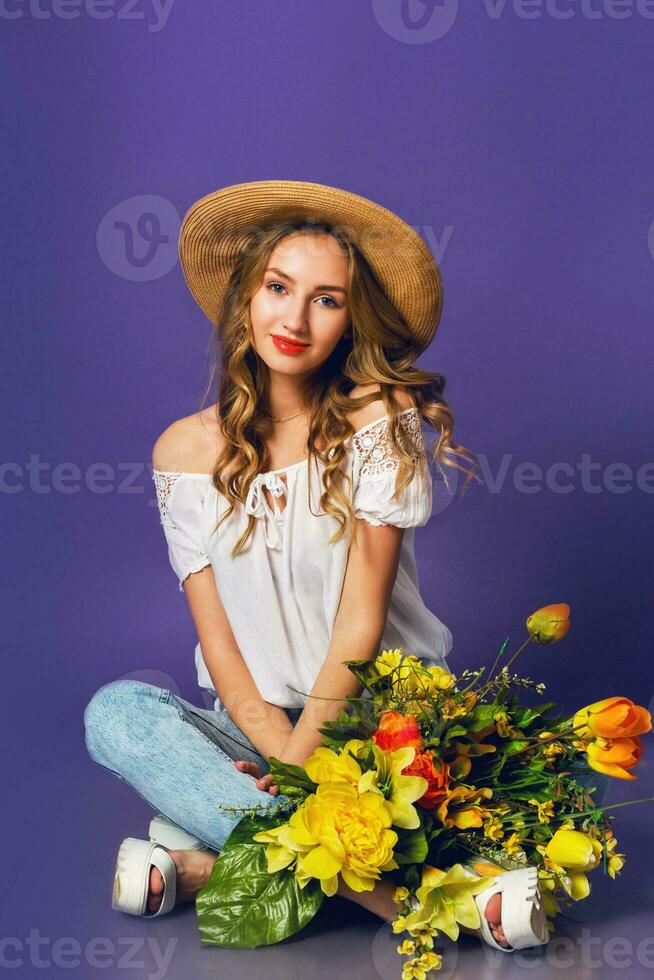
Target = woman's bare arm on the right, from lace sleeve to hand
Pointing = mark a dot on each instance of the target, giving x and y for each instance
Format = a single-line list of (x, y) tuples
[(358, 630)]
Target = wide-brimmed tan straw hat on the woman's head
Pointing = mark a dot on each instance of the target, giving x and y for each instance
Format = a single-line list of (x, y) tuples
[(218, 227)]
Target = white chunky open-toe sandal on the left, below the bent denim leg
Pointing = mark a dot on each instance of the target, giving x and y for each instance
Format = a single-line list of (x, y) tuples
[(135, 861)]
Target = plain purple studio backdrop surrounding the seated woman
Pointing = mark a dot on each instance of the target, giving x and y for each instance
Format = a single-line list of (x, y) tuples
[(522, 149)]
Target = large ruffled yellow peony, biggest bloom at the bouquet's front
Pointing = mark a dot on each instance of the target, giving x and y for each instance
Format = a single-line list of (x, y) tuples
[(335, 831)]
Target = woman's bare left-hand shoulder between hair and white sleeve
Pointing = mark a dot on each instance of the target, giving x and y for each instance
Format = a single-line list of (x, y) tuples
[(190, 444)]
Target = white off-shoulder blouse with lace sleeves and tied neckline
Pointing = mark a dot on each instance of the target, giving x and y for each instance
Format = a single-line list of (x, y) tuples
[(281, 594)]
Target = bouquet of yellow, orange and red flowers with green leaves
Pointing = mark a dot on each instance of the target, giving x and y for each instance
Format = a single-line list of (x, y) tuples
[(428, 776)]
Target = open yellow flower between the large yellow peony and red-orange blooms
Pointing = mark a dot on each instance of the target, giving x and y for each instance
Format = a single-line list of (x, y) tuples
[(398, 791)]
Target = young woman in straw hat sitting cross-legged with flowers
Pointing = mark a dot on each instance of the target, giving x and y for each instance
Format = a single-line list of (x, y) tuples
[(289, 507)]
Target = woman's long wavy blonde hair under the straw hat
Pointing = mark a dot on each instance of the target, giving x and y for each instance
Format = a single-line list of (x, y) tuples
[(381, 352)]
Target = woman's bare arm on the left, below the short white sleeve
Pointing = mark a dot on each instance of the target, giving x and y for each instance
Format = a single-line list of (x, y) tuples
[(266, 725)]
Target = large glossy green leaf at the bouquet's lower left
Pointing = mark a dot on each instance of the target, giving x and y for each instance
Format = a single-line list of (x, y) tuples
[(242, 906)]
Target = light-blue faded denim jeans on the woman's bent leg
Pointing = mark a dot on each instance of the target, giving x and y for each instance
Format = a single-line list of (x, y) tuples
[(178, 757)]
